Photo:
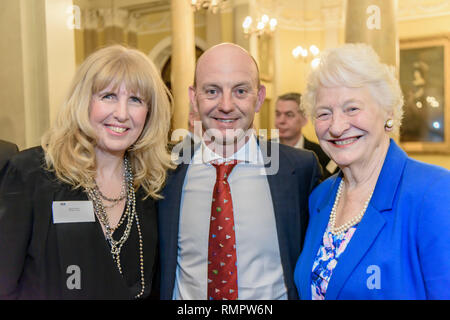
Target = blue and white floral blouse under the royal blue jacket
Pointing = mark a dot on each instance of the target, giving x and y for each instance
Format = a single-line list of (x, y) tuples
[(326, 260)]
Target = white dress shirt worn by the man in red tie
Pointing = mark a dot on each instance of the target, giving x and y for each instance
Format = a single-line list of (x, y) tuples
[(260, 274)]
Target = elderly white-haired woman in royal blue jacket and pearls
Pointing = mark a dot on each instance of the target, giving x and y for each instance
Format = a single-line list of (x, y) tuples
[(379, 229)]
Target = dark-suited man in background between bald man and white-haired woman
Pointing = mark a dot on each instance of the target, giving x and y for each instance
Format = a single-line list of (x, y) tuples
[(289, 120)]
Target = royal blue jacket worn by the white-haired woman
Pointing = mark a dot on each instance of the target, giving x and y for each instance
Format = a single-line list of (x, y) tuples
[(401, 247)]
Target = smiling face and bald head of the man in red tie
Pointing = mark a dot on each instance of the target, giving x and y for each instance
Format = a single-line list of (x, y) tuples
[(226, 95)]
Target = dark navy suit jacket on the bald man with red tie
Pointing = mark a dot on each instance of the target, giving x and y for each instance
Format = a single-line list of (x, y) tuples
[(290, 187)]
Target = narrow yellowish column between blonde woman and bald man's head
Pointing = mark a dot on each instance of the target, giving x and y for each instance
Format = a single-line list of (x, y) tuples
[(183, 60)]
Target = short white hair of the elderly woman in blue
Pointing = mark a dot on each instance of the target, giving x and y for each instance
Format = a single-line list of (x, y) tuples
[(355, 66)]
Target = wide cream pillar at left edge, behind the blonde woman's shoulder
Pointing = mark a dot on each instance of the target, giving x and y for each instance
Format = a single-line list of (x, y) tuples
[(38, 63)]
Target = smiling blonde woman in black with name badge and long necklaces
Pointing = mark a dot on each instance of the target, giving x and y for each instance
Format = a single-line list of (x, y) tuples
[(77, 215)]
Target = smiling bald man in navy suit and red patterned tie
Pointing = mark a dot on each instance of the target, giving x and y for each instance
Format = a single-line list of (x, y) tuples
[(266, 201)]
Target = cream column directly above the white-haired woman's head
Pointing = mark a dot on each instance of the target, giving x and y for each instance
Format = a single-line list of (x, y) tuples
[(374, 22)]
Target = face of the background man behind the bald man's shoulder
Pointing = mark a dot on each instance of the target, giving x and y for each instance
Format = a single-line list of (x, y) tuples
[(288, 120)]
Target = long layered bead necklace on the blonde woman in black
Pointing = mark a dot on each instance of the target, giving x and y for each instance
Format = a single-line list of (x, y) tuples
[(129, 215)]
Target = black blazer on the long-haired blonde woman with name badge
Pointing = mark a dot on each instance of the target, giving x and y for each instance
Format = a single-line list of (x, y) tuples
[(36, 254)]
